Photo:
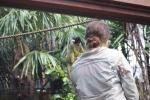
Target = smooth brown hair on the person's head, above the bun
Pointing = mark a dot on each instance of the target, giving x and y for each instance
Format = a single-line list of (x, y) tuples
[(99, 29)]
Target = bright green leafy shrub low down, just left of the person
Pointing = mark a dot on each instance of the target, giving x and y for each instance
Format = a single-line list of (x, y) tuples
[(64, 92)]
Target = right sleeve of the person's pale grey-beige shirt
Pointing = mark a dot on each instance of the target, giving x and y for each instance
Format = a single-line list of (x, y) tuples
[(127, 80)]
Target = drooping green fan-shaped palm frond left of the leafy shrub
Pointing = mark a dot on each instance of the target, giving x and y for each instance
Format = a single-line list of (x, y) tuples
[(35, 61)]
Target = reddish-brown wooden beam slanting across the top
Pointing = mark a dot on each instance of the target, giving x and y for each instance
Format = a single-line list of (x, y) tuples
[(124, 10)]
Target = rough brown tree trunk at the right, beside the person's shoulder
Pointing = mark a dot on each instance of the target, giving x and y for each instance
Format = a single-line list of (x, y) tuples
[(136, 43)]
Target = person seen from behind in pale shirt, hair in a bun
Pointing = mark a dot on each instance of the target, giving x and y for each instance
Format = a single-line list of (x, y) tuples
[(102, 73)]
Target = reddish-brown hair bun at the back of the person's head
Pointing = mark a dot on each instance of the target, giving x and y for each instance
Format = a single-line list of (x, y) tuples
[(92, 41)]
